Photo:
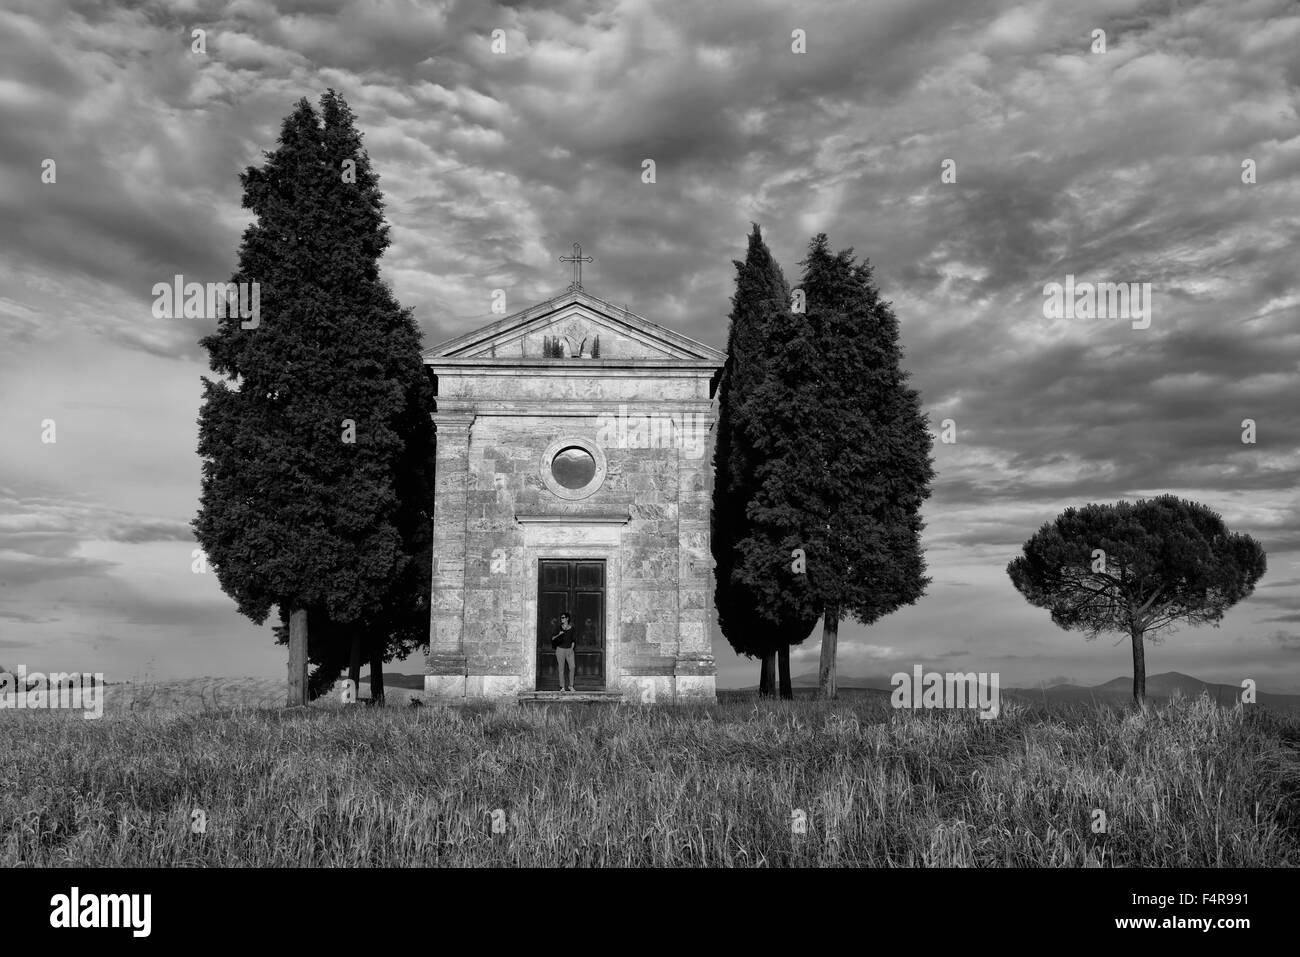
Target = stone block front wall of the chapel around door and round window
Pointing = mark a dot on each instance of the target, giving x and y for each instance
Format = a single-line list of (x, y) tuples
[(649, 521)]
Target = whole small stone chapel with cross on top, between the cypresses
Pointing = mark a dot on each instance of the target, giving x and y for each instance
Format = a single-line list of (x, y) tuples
[(574, 474)]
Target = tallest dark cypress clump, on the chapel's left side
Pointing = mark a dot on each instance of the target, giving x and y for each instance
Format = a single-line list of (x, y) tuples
[(317, 445)]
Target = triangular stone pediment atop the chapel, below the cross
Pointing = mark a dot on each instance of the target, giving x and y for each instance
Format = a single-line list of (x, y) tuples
[(580, 322)]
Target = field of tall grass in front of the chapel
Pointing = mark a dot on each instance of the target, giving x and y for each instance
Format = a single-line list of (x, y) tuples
[(1186, 785)]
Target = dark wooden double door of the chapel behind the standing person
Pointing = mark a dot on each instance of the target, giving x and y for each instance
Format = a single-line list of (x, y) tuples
[(577, 587)]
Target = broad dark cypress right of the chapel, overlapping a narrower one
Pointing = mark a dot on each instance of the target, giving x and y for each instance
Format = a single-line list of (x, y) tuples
[(844, 460)]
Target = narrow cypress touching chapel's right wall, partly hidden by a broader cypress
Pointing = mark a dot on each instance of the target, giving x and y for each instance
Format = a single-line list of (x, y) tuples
[(761, 301)]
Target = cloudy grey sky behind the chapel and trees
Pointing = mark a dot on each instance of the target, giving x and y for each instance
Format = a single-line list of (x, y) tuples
[(1124, 166)]
